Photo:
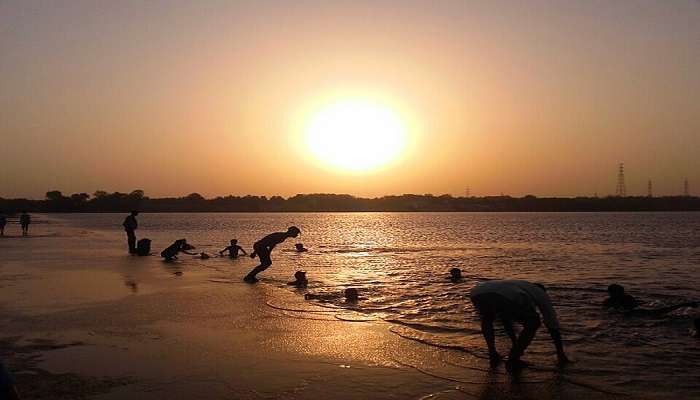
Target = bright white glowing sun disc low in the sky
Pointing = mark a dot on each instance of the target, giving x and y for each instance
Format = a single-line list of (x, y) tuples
[(356, 135)]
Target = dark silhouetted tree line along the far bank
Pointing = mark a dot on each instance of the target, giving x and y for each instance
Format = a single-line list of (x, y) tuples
[(102, 201)]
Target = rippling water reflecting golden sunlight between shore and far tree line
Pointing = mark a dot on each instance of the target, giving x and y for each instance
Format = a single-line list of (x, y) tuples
[(399, 262)]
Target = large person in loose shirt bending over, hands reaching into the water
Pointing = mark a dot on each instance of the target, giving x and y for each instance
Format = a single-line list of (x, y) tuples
[(515, 301)]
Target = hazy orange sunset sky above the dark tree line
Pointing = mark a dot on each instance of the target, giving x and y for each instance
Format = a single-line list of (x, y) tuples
[(223, 97)]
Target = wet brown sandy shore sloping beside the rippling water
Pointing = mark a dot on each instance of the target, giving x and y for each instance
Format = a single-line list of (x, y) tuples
[(81, 319)]
